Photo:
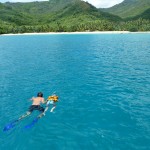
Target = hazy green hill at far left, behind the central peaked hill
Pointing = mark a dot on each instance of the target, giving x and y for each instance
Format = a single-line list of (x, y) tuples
[(30, 13)]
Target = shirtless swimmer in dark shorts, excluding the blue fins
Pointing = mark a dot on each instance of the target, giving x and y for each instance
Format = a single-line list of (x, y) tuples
[(35, 106)]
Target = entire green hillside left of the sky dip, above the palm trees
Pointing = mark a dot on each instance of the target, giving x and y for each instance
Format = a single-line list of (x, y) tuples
[(35, 13)]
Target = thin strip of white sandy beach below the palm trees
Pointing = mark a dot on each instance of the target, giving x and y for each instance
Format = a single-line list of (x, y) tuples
[(94, 32)]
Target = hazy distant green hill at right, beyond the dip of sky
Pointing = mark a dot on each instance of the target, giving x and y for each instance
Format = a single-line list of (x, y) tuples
[(129, 8)]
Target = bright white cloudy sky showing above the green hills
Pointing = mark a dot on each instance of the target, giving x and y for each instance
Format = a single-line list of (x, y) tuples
[(97, 3)]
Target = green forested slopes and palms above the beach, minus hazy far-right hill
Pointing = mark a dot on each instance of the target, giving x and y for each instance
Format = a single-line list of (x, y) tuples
[(64, 16)]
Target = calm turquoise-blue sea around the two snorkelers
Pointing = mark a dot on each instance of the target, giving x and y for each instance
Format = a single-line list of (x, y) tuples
[(103, 82)]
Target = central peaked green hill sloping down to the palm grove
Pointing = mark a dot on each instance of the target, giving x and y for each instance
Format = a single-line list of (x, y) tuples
[(80, 12)]
